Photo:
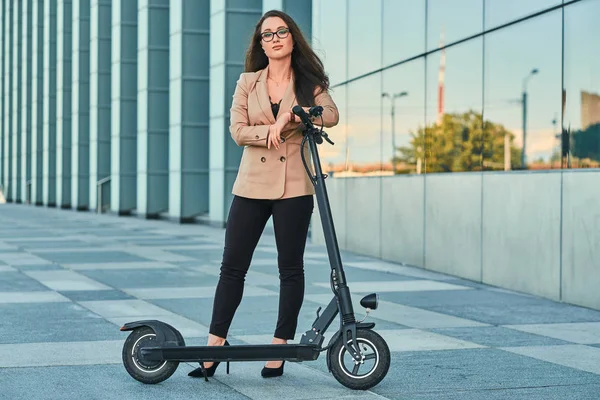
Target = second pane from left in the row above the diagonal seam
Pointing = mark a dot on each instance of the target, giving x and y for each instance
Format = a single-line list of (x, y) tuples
[(364, 35)]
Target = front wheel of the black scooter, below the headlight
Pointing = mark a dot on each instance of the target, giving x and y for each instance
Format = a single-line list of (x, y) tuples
[(370, 370)]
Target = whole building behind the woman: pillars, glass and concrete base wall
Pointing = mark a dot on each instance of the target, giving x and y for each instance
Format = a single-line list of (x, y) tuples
[(468, 142)]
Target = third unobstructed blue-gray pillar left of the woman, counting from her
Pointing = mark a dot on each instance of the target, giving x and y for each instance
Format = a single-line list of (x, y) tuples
[(124, 106)]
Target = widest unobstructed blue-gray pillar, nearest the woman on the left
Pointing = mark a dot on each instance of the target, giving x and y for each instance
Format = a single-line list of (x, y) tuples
[(189, 106)]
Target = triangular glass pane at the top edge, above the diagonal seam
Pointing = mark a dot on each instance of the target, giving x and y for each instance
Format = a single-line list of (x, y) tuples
[(499, 12)]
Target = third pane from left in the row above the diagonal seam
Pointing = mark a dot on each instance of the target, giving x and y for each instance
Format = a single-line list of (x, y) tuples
[(403, 30)]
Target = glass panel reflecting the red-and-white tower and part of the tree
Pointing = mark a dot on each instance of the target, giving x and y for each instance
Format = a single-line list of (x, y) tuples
[(454, 109)]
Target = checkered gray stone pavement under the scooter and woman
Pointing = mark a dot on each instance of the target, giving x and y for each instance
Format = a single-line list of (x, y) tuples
[(68, 280)]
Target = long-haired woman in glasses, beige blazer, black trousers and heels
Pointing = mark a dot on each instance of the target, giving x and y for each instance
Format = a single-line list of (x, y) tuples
[(281, 71)]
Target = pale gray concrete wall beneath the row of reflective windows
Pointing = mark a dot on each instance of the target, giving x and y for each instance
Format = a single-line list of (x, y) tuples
[(533, 232)]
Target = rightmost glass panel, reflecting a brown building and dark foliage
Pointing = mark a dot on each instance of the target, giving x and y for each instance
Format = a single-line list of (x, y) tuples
[(582, 87)]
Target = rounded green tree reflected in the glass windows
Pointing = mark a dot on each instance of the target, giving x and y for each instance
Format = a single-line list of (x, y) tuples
[(460, 142)]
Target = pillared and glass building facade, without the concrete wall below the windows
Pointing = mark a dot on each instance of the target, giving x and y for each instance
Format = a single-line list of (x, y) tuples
[(130, 98)]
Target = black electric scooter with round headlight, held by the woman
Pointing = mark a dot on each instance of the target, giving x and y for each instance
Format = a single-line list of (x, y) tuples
[(154, 349)]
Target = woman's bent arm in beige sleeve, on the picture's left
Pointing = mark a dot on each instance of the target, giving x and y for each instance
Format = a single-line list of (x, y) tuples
[(242, 133)]
